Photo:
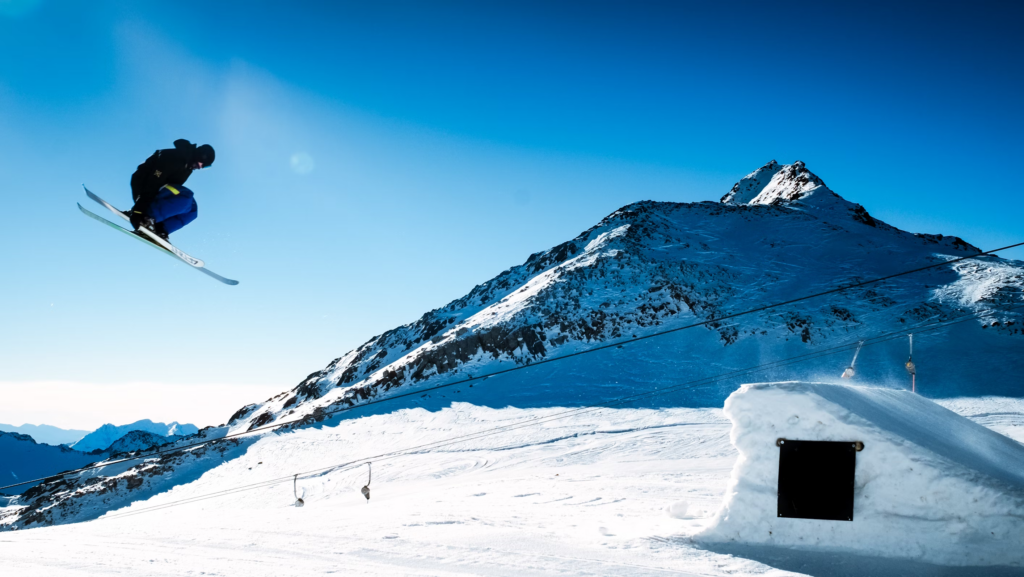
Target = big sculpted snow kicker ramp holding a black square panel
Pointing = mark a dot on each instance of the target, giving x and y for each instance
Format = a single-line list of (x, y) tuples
[(928, 485)]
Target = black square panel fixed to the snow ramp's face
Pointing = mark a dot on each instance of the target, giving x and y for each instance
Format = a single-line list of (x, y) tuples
[(816, 479)]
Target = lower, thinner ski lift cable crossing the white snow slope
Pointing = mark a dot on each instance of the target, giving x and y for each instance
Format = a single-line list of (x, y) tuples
[(340, 468)]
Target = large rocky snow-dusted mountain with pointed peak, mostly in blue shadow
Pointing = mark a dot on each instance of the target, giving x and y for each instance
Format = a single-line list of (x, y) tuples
[(651, 267)]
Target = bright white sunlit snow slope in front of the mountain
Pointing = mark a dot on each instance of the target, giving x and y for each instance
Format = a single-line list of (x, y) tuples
[(608, 492)]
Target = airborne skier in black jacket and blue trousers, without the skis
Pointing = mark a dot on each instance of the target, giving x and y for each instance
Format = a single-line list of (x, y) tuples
[(162, 204)]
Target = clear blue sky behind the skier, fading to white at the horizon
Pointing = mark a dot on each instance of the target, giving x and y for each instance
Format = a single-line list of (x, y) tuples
[(378, 160)]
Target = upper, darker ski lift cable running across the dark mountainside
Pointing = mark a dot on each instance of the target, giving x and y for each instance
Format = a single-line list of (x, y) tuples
[(519, 368)]
